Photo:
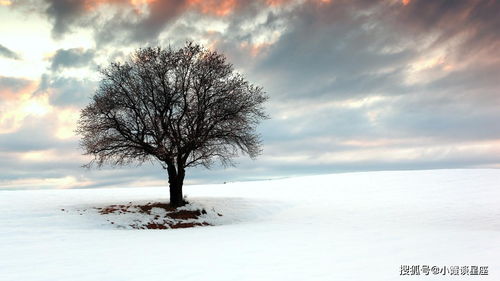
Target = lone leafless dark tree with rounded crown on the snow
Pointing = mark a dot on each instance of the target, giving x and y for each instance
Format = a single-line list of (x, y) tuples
[(182, 107)]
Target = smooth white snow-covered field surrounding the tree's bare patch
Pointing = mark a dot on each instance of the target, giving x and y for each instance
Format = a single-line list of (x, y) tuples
[(356, 226)]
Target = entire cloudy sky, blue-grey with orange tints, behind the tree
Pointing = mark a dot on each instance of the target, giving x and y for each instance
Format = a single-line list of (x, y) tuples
[(359, 85)]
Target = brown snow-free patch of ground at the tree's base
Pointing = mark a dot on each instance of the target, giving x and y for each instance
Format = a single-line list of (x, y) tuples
[(157, 215)]
